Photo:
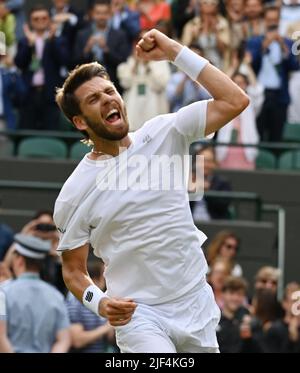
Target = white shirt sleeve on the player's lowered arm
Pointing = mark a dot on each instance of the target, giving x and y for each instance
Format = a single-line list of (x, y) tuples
[(73, 228)]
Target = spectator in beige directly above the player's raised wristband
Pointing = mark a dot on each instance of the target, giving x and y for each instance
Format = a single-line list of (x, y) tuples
[(211, 32)]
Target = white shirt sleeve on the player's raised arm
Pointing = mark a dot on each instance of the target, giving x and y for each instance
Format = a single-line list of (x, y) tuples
[(191, 120)]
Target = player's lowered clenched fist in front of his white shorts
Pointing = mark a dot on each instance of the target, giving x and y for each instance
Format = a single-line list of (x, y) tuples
[(118, 312)]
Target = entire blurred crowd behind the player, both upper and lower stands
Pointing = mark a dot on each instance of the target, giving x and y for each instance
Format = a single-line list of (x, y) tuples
[(253, 41)]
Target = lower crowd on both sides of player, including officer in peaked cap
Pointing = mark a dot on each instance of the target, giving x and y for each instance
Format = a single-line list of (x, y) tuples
[(38, 314)]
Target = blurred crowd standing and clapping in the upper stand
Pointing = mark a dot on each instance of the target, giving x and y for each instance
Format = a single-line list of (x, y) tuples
[(255, 42)]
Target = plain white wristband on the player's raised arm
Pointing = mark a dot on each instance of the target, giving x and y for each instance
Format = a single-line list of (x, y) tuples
[(190, 62)]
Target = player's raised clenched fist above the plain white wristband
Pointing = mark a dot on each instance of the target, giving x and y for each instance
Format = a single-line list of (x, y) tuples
[(156, 46)]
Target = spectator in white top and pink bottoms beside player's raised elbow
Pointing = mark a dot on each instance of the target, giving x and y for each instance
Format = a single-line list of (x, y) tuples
[(241, 130)]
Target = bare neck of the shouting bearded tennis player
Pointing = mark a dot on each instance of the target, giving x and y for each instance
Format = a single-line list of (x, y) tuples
[(113, 148)]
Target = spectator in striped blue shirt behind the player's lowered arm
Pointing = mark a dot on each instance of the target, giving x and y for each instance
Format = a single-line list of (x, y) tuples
[(89, 332)]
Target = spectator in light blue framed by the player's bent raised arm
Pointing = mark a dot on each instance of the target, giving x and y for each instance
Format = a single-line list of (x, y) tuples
[(182, 91)]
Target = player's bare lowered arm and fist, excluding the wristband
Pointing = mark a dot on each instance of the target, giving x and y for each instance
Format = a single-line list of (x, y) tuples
[(74, 268)]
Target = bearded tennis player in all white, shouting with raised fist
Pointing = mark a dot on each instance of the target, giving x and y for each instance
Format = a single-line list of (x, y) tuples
[(157, 297)]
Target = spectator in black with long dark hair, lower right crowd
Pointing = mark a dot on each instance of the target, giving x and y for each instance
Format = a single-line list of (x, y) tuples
[(264, 332)]
